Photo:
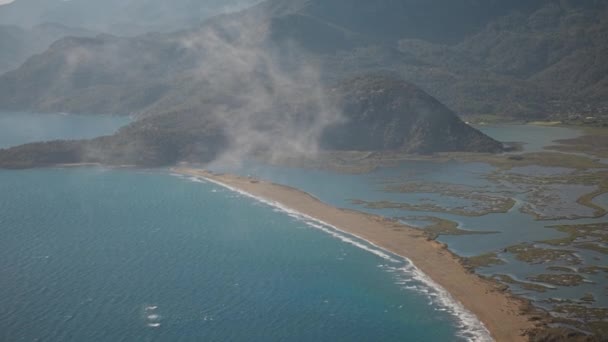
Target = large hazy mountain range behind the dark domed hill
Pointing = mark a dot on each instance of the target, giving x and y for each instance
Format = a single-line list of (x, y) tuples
[(515, 59)]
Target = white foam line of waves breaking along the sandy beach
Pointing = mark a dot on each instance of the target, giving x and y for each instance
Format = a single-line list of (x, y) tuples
[(470, 328)]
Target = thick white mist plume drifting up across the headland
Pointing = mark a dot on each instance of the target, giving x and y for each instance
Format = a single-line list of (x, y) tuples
[(274, 103)]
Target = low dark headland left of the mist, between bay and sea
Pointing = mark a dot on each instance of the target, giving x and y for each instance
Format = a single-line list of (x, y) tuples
[(142, 143)]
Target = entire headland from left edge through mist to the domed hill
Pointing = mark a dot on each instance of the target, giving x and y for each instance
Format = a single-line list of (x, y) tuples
[(379, 113)]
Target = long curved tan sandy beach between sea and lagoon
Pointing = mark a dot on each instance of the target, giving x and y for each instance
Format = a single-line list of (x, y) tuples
[(502, 314)]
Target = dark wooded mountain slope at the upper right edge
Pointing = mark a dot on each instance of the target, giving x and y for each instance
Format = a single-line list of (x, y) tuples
[(559, 47)]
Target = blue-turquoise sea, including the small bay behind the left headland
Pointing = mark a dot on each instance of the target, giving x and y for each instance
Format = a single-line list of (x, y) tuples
[(99, 254)]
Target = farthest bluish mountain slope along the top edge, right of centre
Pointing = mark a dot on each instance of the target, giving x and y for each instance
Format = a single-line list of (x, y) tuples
[(438, 21)]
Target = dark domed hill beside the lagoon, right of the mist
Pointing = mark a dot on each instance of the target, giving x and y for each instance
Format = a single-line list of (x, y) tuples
[(384, 113)]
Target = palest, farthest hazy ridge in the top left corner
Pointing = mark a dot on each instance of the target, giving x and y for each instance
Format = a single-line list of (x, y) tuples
[(120, 17)]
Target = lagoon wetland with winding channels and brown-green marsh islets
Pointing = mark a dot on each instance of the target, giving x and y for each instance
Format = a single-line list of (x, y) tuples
[(534, 220)]
